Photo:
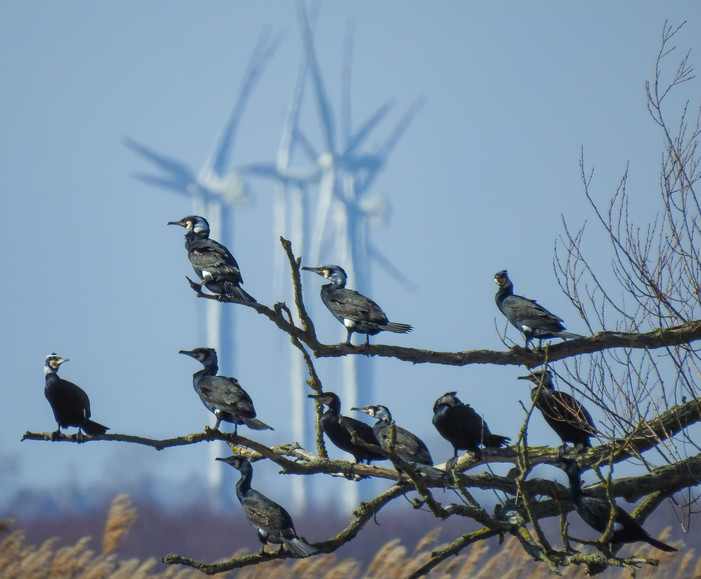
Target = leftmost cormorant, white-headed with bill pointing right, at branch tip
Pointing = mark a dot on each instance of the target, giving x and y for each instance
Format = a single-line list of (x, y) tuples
[(69, 402)]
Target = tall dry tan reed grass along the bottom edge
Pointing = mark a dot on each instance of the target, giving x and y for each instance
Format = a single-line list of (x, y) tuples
[(392, 561)]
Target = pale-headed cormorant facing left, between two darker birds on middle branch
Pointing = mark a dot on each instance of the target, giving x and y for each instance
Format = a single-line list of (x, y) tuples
[(407, 446)]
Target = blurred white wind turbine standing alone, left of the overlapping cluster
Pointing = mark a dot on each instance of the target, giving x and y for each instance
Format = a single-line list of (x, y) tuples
[(215, 190)]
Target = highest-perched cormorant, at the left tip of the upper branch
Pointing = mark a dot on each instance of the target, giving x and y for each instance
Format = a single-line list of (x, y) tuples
[(212, 262)]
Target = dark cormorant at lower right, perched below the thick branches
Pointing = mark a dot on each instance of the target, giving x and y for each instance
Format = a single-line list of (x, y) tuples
[(596, 512)]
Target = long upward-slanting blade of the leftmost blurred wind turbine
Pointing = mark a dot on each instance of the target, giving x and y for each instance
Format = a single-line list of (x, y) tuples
[(218, 160)]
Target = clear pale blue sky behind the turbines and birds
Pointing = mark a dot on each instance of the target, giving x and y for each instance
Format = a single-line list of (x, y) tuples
[(478, 183)]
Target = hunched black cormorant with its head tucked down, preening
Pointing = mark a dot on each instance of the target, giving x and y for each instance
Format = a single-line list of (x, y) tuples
[(460, 425)]
